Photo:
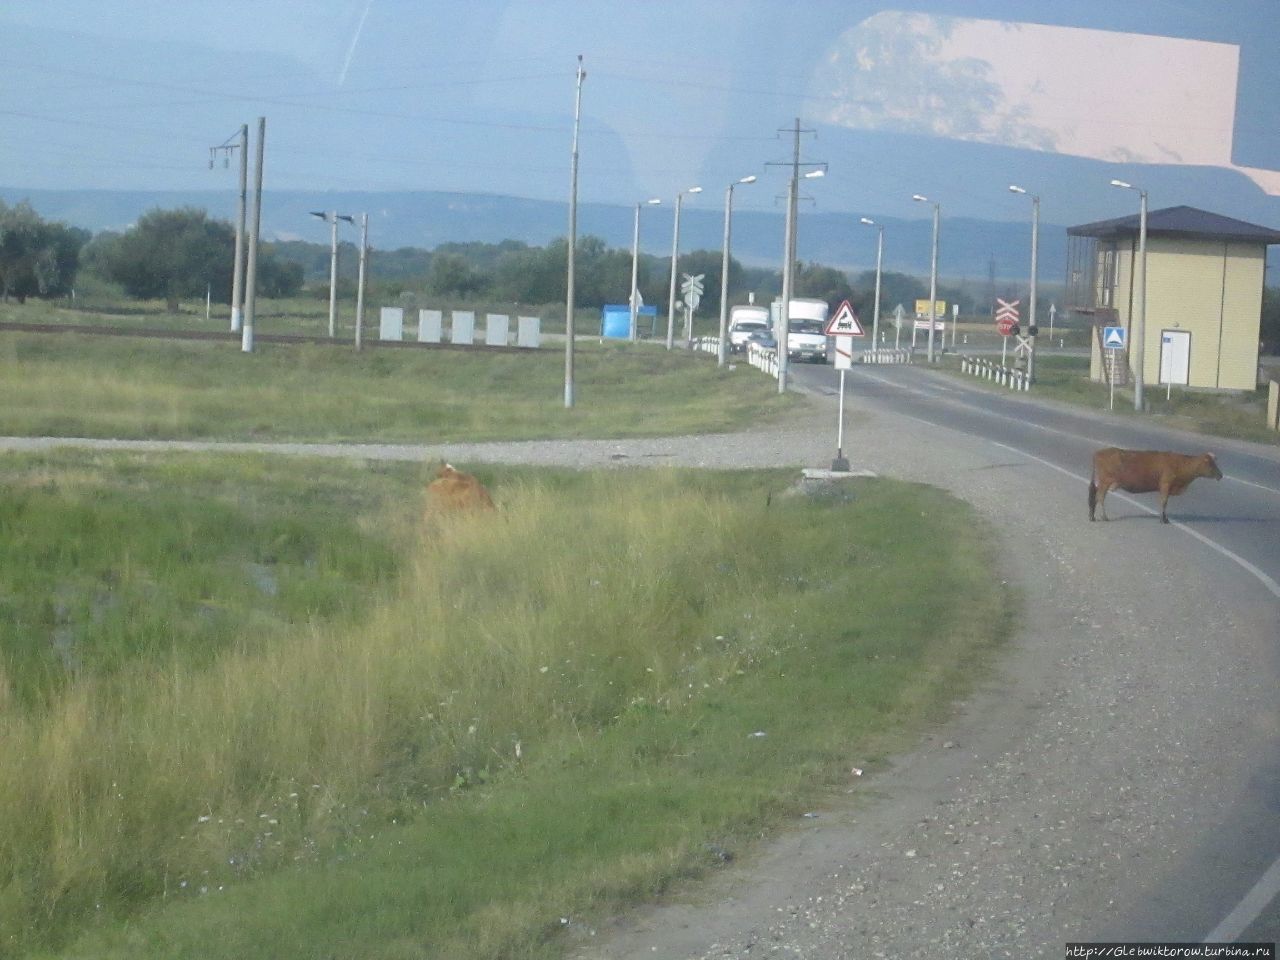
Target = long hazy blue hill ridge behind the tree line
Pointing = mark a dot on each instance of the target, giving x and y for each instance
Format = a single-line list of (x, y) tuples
[(427, 220)]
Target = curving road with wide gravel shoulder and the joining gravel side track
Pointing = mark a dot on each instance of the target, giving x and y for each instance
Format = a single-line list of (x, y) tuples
[(1119, 778)]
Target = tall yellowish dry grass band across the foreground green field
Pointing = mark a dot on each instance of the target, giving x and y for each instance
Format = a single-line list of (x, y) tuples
[(509, 630)]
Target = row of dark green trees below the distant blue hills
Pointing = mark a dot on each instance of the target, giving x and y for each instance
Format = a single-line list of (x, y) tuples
[(181, 254)]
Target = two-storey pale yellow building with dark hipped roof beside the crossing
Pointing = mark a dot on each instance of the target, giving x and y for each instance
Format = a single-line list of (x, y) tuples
[(1205, 278)]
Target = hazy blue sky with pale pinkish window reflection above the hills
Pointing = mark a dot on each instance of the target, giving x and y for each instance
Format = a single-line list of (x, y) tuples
[(949, 99)]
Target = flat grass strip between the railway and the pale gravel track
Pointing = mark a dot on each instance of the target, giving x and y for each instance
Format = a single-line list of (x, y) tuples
[(125, 387)]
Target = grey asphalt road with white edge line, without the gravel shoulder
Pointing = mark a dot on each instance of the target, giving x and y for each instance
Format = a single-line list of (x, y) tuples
[(1238, 520)]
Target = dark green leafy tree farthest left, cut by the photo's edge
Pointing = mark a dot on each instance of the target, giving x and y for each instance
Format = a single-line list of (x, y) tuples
[(38, 258)]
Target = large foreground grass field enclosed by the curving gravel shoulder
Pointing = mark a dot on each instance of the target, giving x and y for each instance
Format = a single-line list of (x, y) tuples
[(263, 710)]
